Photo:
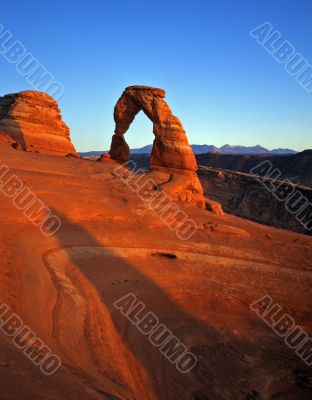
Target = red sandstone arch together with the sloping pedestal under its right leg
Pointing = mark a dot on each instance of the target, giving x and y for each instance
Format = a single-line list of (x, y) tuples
[(172, 160)]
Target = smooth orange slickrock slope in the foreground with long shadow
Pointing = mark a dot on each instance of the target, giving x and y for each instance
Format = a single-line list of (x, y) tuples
[(110, 244)]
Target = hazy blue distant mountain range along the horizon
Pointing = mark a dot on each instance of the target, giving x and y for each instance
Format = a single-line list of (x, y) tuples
[(206, 148)]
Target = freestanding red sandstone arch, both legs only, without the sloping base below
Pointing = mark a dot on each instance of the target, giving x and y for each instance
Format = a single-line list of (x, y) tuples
[(170, 148)]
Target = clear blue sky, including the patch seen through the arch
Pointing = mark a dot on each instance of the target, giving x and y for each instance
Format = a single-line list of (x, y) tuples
[(223, 86)]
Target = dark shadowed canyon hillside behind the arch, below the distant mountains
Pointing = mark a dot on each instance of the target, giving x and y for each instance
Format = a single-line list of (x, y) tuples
[(241, 193)]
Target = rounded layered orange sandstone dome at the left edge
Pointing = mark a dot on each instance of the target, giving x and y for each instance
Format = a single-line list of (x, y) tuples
[(32, 121)]
